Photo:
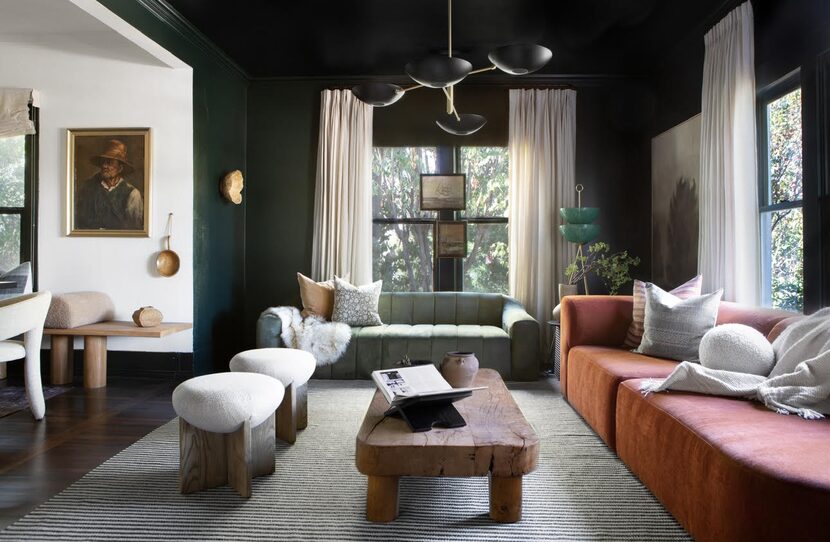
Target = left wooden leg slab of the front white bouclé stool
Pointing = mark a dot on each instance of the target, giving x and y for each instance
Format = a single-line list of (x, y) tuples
[(203, 462)]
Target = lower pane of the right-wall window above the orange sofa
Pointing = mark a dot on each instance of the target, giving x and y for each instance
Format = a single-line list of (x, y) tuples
[(783, 255)]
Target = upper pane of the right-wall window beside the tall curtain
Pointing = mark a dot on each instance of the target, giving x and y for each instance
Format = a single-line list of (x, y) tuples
[(784, 160)]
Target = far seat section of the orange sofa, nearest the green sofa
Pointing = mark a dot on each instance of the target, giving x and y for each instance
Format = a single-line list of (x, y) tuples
[(596, 372)]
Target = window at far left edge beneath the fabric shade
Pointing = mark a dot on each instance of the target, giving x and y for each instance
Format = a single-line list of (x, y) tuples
[(17, 193)]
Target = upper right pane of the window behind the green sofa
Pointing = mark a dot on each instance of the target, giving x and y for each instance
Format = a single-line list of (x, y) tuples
[(486, 169)]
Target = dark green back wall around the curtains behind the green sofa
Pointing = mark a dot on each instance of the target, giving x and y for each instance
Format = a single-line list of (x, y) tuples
[(283, 115)]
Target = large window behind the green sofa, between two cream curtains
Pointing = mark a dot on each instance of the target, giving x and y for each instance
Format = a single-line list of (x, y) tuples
[(403, 235)]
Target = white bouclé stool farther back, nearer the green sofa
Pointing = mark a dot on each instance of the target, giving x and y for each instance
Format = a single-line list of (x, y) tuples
[(291, 367)]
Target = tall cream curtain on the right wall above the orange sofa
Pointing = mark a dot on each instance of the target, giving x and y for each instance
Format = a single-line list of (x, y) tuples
[(729, 247)]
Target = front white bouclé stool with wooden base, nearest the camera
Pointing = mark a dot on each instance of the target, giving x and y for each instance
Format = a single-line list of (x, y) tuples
[(226, 430)]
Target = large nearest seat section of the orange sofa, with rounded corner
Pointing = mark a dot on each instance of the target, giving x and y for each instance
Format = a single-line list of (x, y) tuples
[(728, 469)]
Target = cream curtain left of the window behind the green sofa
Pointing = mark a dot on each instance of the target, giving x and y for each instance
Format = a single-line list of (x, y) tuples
[(342, 242)]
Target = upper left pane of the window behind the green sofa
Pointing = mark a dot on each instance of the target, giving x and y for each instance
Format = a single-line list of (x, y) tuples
[(396, 180)]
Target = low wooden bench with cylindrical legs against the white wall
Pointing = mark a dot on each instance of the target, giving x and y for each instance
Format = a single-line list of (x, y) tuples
[(95, 347)]
